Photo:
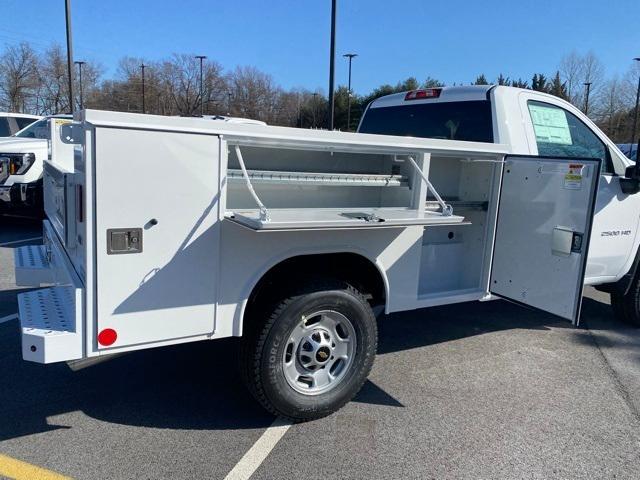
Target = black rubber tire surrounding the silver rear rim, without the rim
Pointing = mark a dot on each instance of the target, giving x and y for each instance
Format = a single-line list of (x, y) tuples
[(264, 344)]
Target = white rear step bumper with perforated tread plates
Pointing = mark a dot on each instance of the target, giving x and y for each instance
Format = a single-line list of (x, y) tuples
[(51, 318)]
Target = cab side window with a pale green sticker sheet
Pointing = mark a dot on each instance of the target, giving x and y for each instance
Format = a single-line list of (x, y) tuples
[(559, 133)]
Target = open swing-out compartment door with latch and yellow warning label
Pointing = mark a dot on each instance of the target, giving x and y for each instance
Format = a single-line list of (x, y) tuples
[(544, 221)]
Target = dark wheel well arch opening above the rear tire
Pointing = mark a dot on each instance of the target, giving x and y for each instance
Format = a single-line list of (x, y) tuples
[(354, 269)]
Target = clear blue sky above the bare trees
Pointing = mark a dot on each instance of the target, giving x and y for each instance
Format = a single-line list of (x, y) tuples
[(452, 41)]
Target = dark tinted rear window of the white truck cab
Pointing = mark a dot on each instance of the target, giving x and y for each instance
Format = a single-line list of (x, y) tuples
[(467, 121)]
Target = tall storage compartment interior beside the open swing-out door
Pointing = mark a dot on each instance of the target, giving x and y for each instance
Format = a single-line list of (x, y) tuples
[(453, 256)]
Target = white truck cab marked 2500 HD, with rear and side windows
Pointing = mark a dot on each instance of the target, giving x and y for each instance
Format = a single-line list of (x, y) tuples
[(529, 123)]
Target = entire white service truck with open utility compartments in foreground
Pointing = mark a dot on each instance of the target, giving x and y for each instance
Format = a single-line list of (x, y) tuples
[(292, 239)]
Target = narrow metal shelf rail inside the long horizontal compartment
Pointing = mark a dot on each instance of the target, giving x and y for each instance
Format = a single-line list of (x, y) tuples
[(314, 178)]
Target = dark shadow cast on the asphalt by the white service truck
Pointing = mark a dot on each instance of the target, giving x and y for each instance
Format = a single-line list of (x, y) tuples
[(196, 386)]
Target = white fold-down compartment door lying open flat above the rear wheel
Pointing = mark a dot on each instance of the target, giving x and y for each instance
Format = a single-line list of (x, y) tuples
[(331, 218)]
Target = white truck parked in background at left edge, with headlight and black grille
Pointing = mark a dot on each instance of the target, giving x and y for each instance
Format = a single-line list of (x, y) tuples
[(21, 165)]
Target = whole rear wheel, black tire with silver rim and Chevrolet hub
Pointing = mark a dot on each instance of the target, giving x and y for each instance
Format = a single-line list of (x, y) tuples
[(313, 353)]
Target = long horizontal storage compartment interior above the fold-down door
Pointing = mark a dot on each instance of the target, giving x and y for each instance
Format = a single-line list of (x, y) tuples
[(287, 178)]
